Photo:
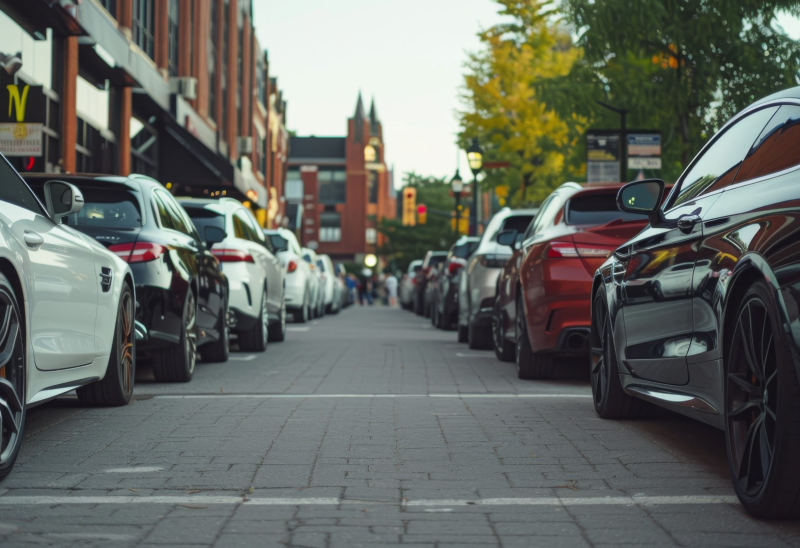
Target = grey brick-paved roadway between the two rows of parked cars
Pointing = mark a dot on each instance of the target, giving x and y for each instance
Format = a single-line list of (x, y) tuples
[(372, 445)]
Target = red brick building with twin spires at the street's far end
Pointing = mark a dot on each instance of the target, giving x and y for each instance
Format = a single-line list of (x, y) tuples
[(339, 187)]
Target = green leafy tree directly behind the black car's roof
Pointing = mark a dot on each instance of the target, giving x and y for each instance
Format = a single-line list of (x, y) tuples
[(686, 66)]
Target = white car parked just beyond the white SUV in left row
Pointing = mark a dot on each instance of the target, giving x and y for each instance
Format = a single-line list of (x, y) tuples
[(299, 280)]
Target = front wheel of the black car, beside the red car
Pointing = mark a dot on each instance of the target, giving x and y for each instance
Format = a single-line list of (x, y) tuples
[(610, 400)]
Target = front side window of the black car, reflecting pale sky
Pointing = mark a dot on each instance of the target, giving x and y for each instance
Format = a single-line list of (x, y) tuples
[(718, 165)]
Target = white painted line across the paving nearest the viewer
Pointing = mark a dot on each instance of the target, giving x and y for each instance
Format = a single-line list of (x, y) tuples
[(334, 501)]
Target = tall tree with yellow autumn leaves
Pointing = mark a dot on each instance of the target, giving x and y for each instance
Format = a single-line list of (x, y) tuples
[(504, 100)]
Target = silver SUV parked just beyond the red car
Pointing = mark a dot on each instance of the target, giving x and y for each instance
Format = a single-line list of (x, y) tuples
[(477, 288)]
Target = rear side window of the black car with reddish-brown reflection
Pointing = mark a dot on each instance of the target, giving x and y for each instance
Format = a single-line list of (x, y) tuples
[(776, 149)]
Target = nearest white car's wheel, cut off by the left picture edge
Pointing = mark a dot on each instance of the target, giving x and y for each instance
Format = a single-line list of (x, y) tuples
[(13, 369)]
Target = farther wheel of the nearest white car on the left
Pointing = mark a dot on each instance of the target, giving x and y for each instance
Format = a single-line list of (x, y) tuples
[(116, 388)]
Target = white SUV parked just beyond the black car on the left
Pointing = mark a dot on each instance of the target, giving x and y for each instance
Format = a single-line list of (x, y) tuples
[(255, 276)]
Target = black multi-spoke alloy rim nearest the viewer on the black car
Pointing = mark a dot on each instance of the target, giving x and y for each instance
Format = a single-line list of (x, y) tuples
[(752, 383)]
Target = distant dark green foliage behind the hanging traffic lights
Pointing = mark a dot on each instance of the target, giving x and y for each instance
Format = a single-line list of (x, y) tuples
[(407, 243)]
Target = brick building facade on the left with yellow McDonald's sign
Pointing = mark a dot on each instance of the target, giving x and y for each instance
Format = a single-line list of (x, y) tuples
[(175, 89)]
